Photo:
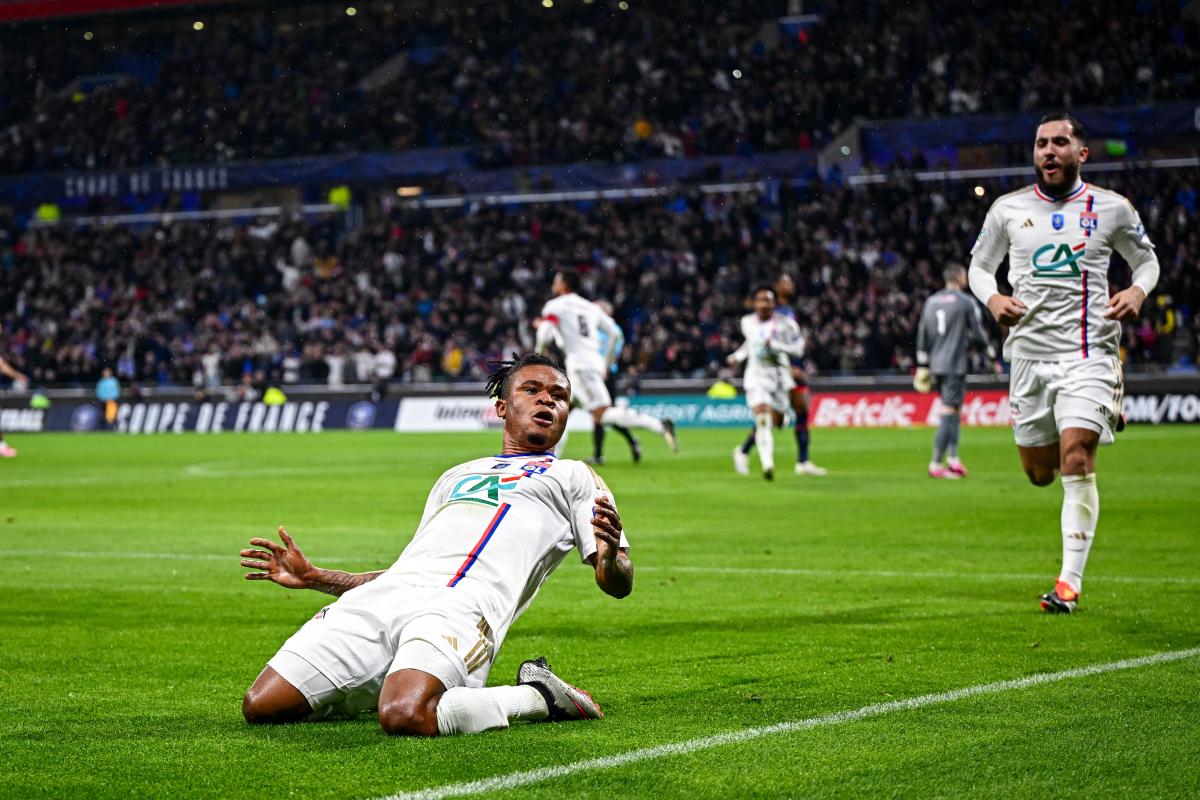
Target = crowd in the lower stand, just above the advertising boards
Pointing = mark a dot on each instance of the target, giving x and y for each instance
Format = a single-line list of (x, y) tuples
[(437, 294)]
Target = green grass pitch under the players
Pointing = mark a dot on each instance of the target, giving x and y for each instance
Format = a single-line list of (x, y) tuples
[(128, 634)]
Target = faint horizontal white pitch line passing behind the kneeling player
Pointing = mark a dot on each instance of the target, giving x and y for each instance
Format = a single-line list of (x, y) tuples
[(148, 556)]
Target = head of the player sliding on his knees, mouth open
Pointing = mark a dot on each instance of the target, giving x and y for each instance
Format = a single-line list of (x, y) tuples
[(536, 411)]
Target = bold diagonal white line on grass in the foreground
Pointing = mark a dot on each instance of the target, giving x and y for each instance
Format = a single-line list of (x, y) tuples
[(515, 780)]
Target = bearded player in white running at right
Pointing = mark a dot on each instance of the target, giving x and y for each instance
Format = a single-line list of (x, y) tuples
[(1066, 382)]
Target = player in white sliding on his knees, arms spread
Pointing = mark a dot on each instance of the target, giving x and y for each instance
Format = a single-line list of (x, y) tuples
[(418, 640)]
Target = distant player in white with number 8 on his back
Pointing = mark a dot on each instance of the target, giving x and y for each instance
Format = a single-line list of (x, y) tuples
[(577, 326)]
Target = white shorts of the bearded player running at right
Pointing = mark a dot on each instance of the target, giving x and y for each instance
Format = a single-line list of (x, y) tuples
[(1047, 398)]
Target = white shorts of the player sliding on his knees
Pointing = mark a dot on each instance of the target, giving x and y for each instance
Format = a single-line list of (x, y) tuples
[(341, 658)]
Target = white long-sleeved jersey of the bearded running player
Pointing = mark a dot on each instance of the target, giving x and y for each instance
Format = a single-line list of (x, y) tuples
[(1059, 266)]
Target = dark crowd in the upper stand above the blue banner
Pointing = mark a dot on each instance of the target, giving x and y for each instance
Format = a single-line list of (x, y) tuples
[(520, 85)]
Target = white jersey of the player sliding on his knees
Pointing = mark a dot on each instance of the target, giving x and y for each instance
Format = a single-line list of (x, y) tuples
[(495, 530)]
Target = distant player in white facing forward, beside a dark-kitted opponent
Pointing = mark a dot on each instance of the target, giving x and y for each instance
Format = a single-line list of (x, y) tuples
[(770, 340)]
